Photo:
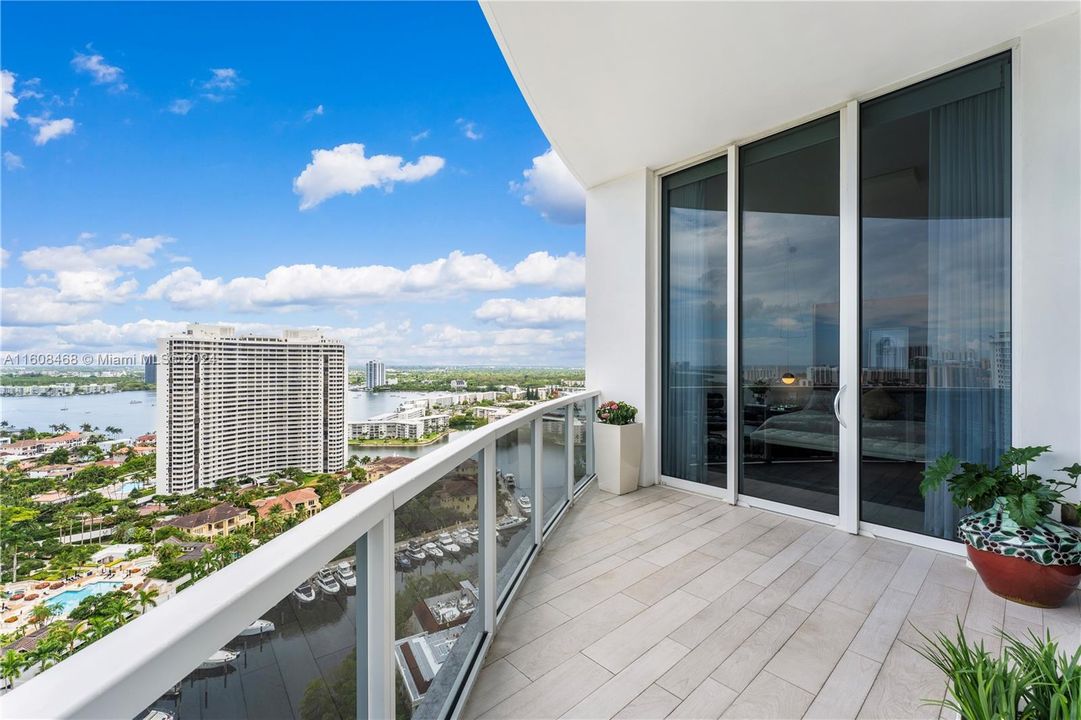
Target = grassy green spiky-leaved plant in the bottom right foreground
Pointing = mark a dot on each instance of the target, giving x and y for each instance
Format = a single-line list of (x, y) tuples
[(982, 687)]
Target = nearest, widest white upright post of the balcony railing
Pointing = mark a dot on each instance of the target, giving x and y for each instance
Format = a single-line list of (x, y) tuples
[(381, 620)]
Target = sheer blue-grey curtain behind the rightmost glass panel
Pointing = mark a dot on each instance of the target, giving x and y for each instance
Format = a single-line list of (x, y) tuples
[(968, 397)]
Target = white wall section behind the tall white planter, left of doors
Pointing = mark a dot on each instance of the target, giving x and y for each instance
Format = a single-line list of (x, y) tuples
[(620, 299)]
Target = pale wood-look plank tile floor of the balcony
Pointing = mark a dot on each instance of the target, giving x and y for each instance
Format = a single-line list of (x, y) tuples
[(663, 604)]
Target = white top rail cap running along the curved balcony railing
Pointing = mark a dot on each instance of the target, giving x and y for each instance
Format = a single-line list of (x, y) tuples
[(127, 671)]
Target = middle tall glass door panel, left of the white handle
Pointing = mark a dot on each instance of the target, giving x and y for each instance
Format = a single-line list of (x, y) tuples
[(790, 291)]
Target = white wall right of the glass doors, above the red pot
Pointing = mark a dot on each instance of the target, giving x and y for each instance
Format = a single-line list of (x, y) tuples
[(1048, 298)]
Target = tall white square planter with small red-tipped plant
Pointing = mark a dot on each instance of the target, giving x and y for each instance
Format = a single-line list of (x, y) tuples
[(618, 441)]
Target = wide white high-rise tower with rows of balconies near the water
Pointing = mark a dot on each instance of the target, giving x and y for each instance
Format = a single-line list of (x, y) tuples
[(247, 406)]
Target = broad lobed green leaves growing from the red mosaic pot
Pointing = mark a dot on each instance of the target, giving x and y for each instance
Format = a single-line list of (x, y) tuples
[(1029, 498)]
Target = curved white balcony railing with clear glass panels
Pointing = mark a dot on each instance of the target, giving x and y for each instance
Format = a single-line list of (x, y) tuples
[(381, 606)]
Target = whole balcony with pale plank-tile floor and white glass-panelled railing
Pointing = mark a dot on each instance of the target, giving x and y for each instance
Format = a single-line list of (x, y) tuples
[(569, 603)]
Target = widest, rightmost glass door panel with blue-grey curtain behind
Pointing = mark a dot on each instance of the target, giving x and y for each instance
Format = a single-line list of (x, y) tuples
[(936, 330)]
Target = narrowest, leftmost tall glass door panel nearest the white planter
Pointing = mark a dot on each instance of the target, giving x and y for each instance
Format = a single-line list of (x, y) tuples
[(695, 325)]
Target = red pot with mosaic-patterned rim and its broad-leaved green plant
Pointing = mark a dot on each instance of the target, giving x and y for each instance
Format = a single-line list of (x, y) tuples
[(1019, 551)]
